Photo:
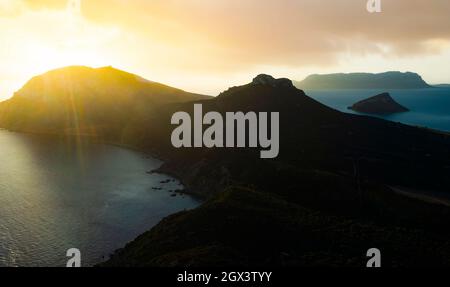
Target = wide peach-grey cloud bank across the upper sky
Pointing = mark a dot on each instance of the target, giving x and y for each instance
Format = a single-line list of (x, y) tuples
[(233, 33)]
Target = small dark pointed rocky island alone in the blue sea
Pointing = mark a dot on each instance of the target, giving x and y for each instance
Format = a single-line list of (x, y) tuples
[(380, 104)]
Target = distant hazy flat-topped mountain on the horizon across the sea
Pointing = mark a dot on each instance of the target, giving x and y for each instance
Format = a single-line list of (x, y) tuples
[(388, 80)]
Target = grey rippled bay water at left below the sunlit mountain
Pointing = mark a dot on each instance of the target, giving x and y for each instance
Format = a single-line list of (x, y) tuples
[(95, 198)]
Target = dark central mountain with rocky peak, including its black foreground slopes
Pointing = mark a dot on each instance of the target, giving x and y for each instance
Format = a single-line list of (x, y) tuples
[(324, 201)]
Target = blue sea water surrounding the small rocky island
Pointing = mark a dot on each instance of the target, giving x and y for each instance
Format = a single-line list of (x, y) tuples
[(429, 107)]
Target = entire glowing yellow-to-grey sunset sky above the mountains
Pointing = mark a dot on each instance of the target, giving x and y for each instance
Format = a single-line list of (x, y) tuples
[(206, 46)]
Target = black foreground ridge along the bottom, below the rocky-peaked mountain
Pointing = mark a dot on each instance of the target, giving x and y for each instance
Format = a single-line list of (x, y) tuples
[(244, 228)]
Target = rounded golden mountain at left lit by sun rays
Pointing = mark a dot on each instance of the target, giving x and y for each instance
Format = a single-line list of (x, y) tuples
[(103, 102)]
